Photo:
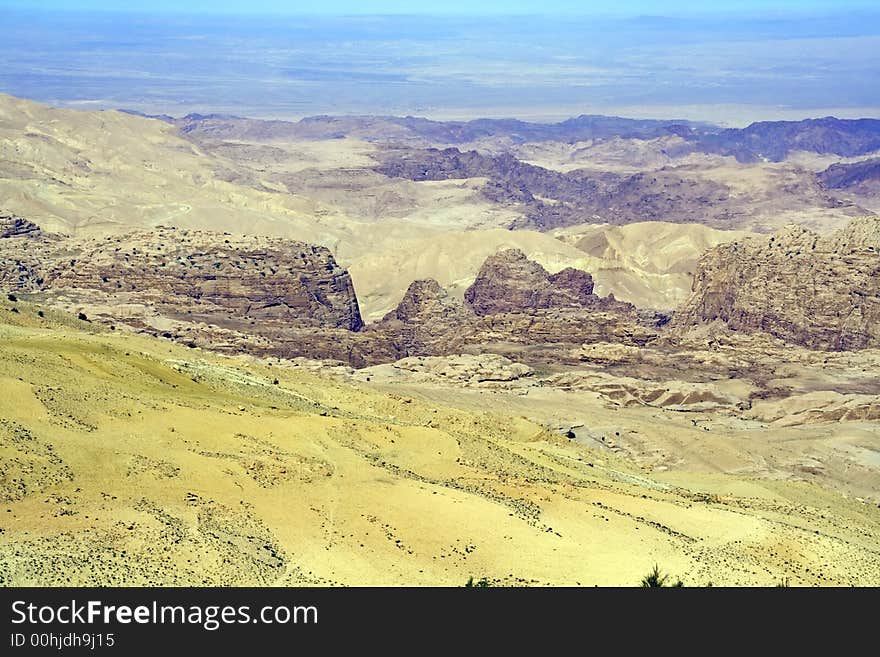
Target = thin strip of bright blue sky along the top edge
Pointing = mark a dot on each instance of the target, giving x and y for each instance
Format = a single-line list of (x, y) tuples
[(349, 7)]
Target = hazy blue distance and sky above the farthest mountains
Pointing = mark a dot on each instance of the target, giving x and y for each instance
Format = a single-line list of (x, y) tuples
[(726, 67)]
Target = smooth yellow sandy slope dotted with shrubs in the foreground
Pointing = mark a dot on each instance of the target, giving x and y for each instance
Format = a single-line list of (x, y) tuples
[(128, 460)]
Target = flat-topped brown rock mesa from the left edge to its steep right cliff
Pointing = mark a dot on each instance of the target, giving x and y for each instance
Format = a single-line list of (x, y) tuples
[(225, 292)]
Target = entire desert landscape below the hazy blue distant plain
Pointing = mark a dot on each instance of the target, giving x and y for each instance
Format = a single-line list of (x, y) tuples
[(380, 350)]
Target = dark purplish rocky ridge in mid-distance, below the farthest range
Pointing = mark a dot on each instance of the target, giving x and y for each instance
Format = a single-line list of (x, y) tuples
[(548, 199)]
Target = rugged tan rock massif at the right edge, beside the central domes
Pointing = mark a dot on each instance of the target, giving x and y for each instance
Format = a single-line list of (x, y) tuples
[(819, 292)]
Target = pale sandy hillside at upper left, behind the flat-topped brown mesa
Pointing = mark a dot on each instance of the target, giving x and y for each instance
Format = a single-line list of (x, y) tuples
[(88, 171)]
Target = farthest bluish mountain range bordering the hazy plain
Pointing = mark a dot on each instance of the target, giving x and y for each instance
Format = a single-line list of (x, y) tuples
[(771, 140)]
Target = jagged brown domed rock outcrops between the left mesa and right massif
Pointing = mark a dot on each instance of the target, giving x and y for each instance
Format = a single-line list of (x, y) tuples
[(513, 302)]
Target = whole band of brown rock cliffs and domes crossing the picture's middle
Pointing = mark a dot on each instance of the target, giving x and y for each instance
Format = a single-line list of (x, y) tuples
[(272, 296)]
